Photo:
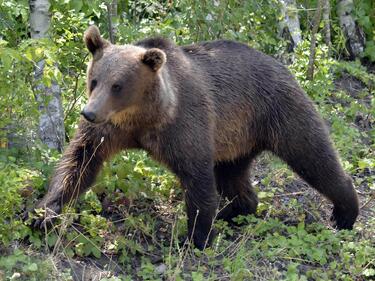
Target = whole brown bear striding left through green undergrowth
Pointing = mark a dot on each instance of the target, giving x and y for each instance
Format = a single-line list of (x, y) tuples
[(205, 111)]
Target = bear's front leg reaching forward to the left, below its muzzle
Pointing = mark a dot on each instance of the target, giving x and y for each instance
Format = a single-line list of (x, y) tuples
[(77, 169)]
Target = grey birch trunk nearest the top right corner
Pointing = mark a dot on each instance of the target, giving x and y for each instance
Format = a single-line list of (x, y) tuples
[(355, 39)]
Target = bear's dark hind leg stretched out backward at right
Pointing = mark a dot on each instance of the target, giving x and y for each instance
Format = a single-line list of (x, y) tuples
[(311, 155)]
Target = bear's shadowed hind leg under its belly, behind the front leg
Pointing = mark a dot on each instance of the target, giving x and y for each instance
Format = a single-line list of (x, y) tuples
[(233, 184)]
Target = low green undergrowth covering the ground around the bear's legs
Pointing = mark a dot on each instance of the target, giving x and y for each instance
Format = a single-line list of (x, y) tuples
[(133, 217)]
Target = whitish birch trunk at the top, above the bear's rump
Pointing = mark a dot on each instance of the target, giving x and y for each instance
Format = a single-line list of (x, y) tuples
[(290, 21)]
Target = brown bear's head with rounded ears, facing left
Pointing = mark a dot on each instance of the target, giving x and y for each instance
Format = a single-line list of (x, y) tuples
[(118, 77)]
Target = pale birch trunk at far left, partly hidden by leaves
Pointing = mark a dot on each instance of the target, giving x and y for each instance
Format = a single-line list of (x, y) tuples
[(51, 120)]
